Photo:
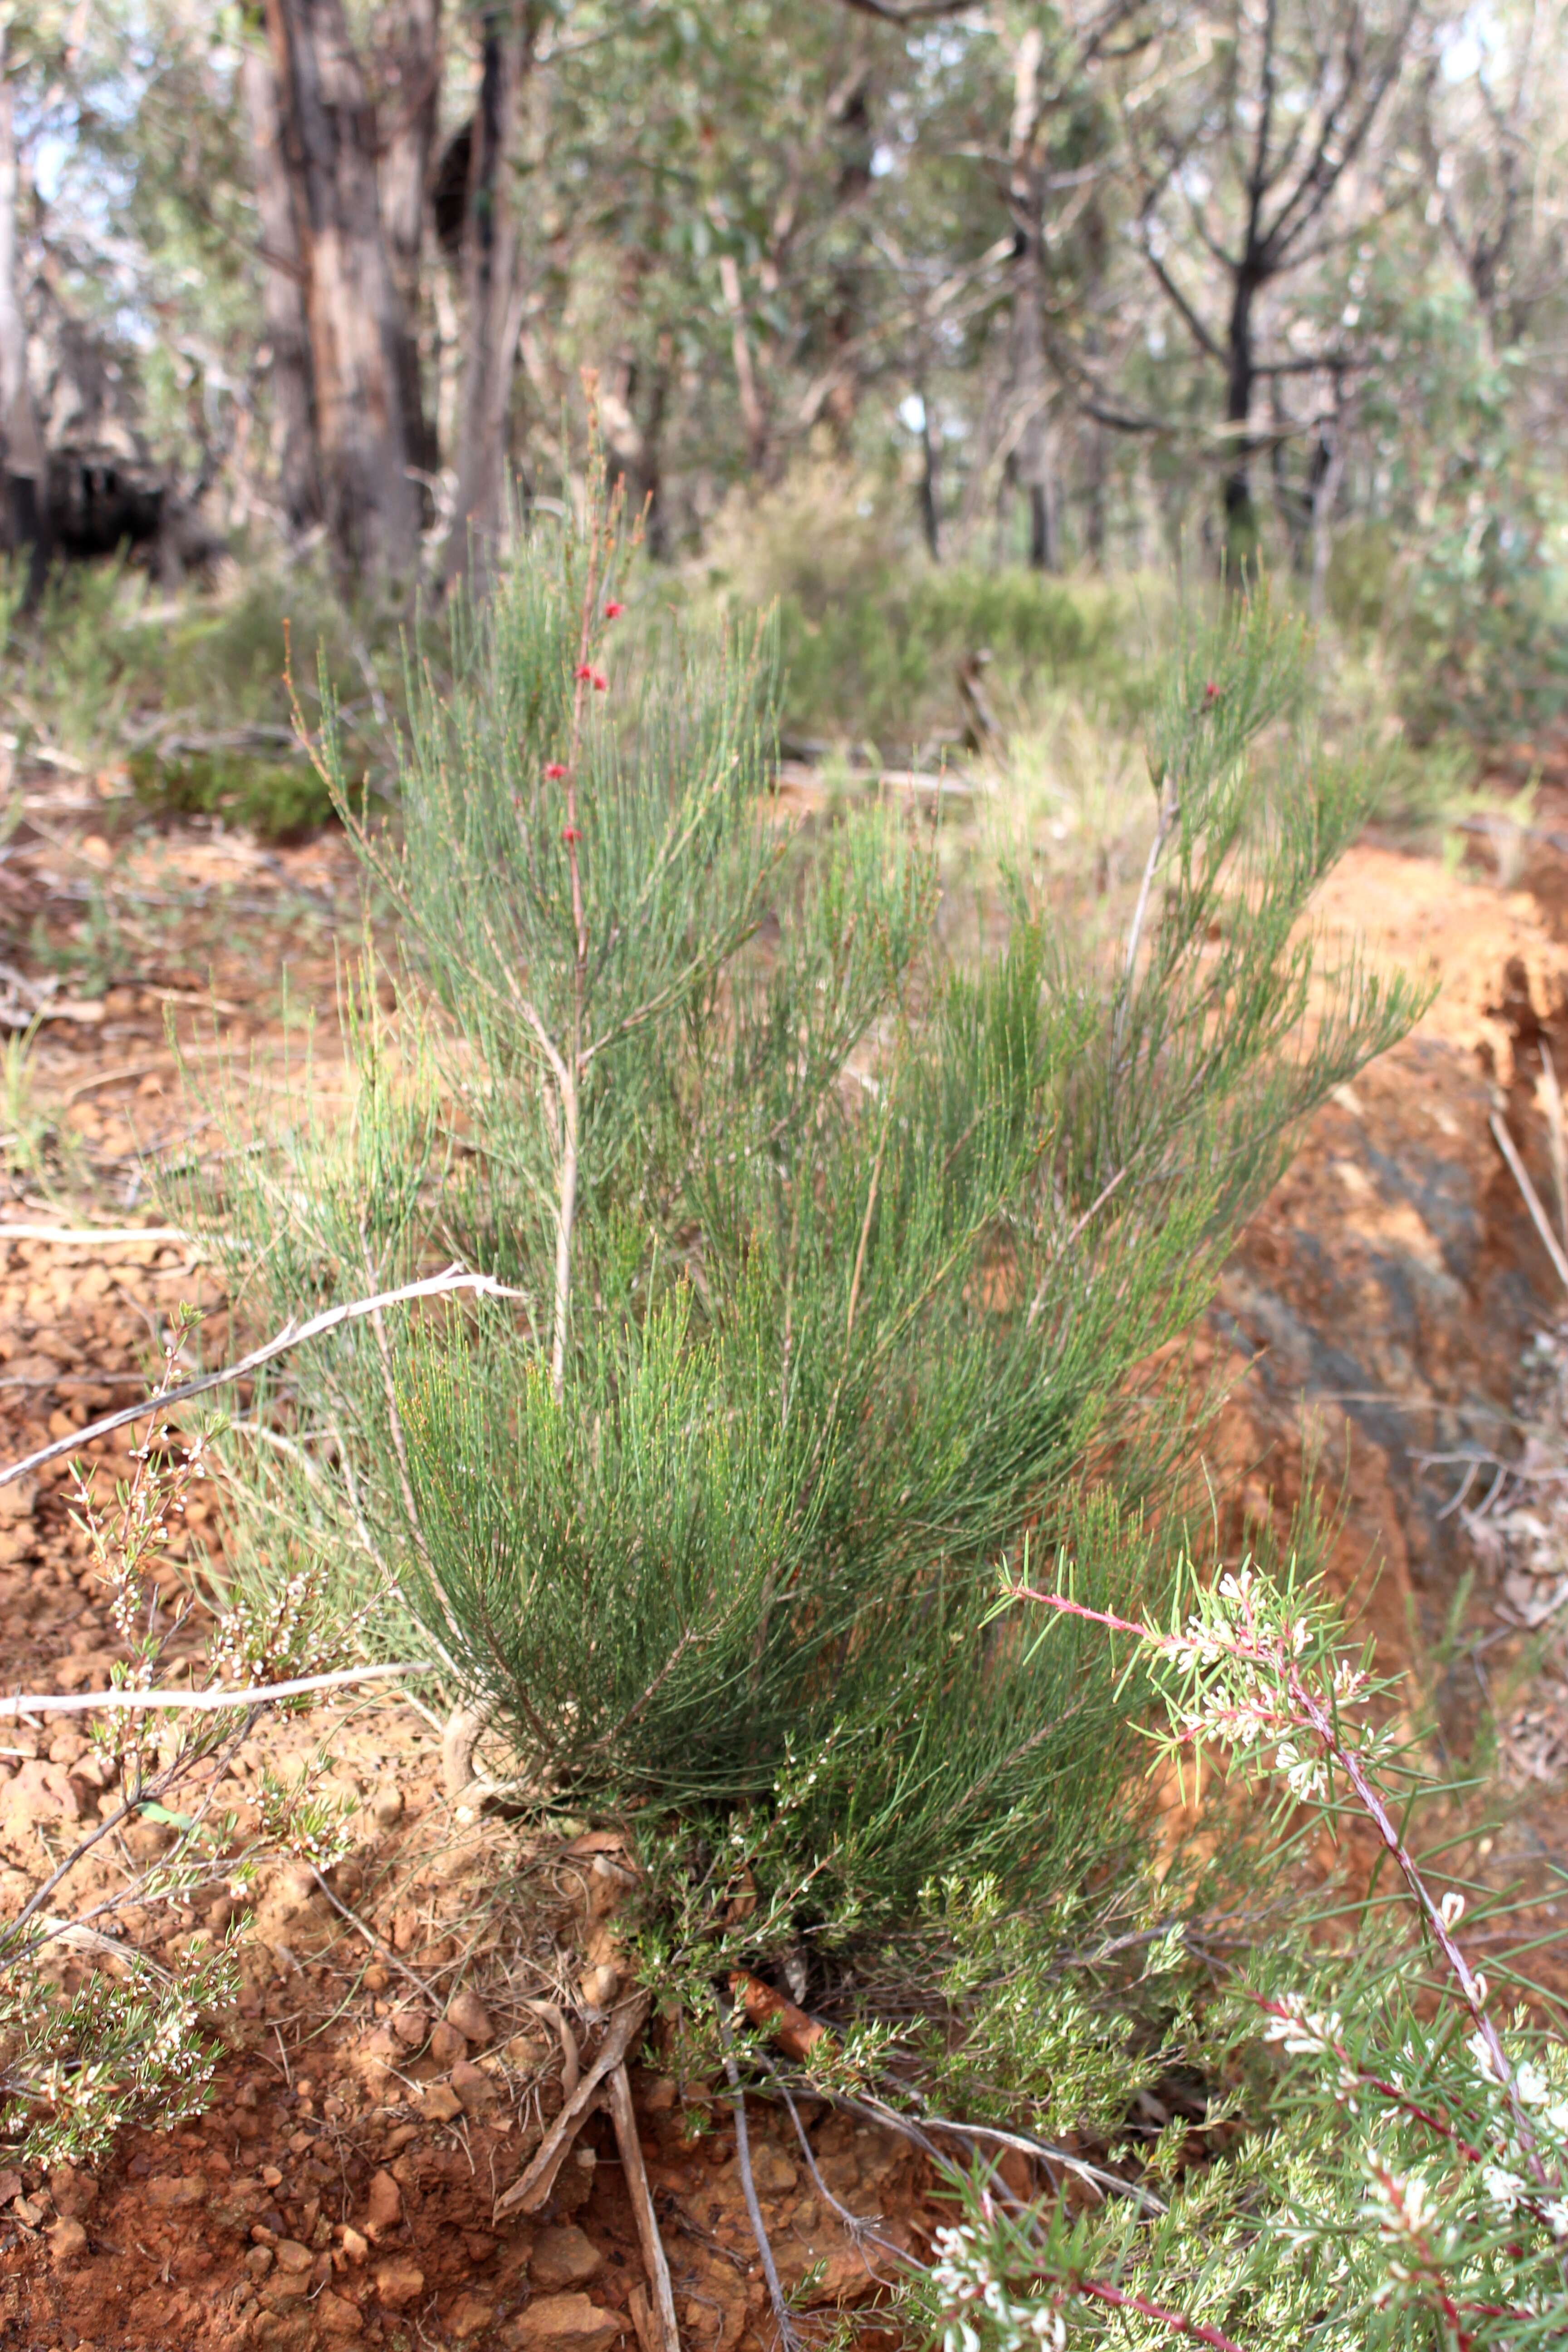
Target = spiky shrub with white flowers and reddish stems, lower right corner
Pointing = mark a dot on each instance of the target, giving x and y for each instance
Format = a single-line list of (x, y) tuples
[(1386, 2134)]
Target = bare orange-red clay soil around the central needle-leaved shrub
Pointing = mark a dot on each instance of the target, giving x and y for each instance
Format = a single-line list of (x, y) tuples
[(387, 2078)]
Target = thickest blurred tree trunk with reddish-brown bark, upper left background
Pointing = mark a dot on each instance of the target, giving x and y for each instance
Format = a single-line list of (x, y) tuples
[(356, 319)]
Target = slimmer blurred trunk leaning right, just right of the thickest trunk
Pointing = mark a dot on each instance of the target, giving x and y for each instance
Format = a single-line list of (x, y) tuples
[(492, 286)]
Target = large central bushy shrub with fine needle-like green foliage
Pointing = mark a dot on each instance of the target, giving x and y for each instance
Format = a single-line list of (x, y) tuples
[(836, 1262)]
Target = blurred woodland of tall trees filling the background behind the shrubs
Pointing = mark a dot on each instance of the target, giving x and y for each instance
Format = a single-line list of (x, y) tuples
[(1054, 286)]
